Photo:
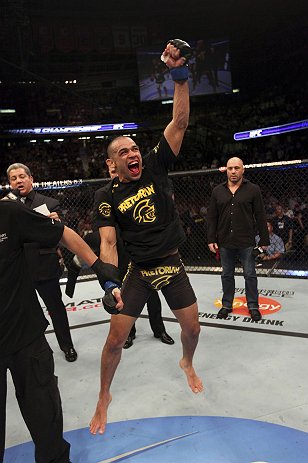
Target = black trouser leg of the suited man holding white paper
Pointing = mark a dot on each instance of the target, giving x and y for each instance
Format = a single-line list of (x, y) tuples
[(50, 292)]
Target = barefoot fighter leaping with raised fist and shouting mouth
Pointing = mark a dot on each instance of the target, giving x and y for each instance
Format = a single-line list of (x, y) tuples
[(140, 201)]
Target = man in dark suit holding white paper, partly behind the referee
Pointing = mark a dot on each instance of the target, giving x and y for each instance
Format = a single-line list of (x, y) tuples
[(43, 261)]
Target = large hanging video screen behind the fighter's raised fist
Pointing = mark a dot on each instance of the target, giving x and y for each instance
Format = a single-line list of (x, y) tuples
[(209, 70)]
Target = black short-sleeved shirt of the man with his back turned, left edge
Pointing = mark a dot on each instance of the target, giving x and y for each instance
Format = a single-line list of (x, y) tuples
[(22, 318)]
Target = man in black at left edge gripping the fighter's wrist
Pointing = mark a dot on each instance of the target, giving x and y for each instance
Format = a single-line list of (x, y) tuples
[(23, 346)]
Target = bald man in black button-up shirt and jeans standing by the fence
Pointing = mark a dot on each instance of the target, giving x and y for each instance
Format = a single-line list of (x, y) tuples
[(234, 206)]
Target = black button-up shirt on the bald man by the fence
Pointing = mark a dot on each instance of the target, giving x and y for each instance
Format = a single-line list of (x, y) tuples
[(231, 217)]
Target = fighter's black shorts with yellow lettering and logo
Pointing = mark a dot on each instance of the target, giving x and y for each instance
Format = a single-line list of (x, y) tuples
[(166, 274)]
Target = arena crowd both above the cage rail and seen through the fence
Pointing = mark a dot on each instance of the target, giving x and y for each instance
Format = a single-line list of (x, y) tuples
[(207, 144)]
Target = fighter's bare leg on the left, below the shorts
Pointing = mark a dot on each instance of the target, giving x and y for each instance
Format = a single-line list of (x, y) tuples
[(120, 327)]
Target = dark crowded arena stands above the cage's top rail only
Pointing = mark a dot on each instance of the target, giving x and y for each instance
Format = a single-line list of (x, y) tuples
[(208, 144)]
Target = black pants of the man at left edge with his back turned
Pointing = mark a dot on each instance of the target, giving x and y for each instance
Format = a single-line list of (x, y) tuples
[(32, 370)]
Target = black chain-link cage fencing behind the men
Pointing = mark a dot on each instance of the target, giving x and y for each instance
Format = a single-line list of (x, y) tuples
[(284, 184)]
